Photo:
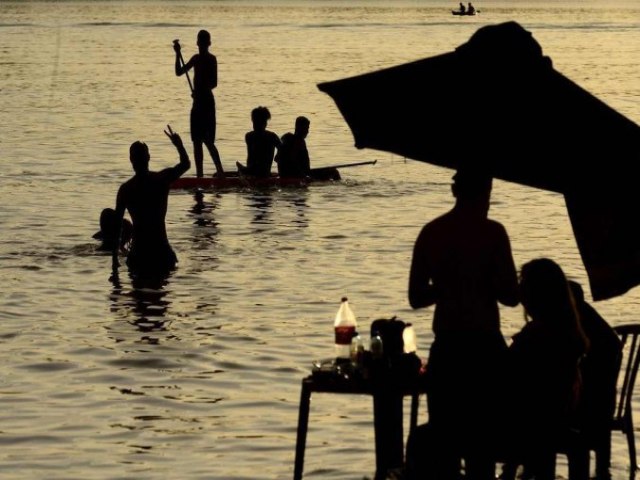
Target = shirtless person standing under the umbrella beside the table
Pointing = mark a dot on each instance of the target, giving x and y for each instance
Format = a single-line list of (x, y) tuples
[(462, 264)]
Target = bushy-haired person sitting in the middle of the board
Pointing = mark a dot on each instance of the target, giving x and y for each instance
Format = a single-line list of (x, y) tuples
[(261, 145)]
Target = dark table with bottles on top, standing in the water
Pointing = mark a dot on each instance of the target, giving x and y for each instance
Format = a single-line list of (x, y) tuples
[(387, 393)]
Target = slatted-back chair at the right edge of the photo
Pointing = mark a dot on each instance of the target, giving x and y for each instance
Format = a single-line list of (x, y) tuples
[(623, 417)]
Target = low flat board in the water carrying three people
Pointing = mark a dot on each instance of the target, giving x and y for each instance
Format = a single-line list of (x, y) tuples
[(237, 179)]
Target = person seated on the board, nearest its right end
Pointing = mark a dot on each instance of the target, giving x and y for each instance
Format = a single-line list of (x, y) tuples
[(293, 156)]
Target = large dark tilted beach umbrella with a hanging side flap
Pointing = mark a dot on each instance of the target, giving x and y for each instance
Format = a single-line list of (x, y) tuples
[(497, 102)]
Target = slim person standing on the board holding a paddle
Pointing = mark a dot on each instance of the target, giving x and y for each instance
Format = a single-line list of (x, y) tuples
[(203, 110)]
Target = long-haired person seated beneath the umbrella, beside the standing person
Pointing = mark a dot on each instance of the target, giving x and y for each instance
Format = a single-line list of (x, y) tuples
[(544, 375)]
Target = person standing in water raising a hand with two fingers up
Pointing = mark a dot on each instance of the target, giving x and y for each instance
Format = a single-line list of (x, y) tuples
[(145, 196)]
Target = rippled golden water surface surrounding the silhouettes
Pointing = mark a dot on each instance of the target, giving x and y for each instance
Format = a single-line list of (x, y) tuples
[(199, 379)]
